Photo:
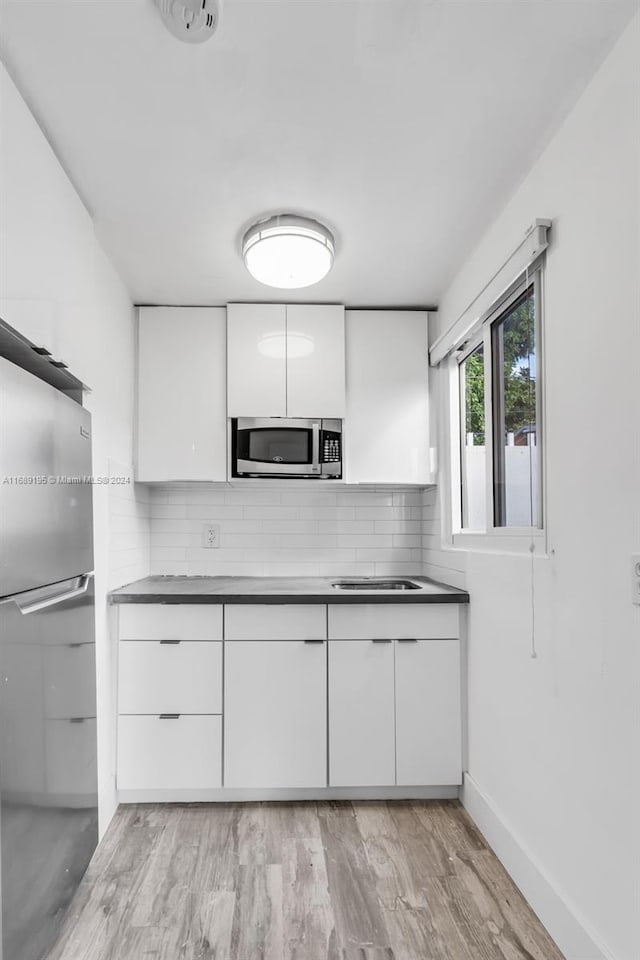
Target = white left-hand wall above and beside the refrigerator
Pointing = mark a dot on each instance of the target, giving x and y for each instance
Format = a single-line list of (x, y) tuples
[(59, 289)]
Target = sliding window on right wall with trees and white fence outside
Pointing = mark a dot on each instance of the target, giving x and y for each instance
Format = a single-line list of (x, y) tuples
[(498, 374)]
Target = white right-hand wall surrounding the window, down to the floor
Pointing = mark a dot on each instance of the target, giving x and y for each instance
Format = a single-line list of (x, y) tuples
[(554, 741)]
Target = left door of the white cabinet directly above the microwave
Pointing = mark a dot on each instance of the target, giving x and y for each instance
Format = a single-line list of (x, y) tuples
[(256, 360)]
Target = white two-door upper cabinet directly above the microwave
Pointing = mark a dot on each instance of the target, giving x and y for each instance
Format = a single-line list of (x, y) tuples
[(285, 360)]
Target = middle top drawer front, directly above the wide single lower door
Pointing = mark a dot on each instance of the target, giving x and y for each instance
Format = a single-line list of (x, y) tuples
[(275, 622)]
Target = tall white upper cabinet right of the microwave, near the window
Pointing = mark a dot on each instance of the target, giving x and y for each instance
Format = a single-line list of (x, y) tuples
[(387, 419)]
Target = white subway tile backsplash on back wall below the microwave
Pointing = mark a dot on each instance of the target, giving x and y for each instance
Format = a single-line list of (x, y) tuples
[(286, 531)]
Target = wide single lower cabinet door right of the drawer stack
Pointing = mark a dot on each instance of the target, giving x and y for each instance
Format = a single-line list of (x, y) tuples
[(275, 725)]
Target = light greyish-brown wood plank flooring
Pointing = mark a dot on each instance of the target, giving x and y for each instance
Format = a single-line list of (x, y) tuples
[(402, 880)]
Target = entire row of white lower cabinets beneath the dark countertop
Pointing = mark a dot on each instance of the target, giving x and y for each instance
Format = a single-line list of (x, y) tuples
[(293, 696)]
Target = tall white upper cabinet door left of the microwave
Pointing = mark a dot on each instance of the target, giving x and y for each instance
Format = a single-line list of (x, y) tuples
[(182, 426)]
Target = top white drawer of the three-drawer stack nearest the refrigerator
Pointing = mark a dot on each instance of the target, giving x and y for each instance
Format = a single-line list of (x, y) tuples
[(170, 621)]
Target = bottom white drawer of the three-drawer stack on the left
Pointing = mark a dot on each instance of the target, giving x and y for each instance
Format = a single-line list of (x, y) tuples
[(169, 754)]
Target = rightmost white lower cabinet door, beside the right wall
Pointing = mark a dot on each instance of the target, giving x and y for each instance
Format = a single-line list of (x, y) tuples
[(428, 723)]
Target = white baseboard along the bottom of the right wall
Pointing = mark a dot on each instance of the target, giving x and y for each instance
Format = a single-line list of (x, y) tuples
[(560, 918)]
